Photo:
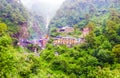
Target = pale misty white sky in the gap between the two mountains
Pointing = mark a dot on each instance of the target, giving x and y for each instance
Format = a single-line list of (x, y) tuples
[(46, 7)]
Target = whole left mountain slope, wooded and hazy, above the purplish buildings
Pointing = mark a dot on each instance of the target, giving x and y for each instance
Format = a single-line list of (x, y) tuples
[(16, 15)]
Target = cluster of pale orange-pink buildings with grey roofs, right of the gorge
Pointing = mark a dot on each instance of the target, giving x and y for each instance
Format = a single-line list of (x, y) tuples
[(70, 40)]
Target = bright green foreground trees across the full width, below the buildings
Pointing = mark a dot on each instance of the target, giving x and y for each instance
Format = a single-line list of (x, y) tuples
[(98, 57)]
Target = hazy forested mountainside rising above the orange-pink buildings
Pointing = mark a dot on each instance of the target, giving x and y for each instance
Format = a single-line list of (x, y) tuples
[(81, 11)]
